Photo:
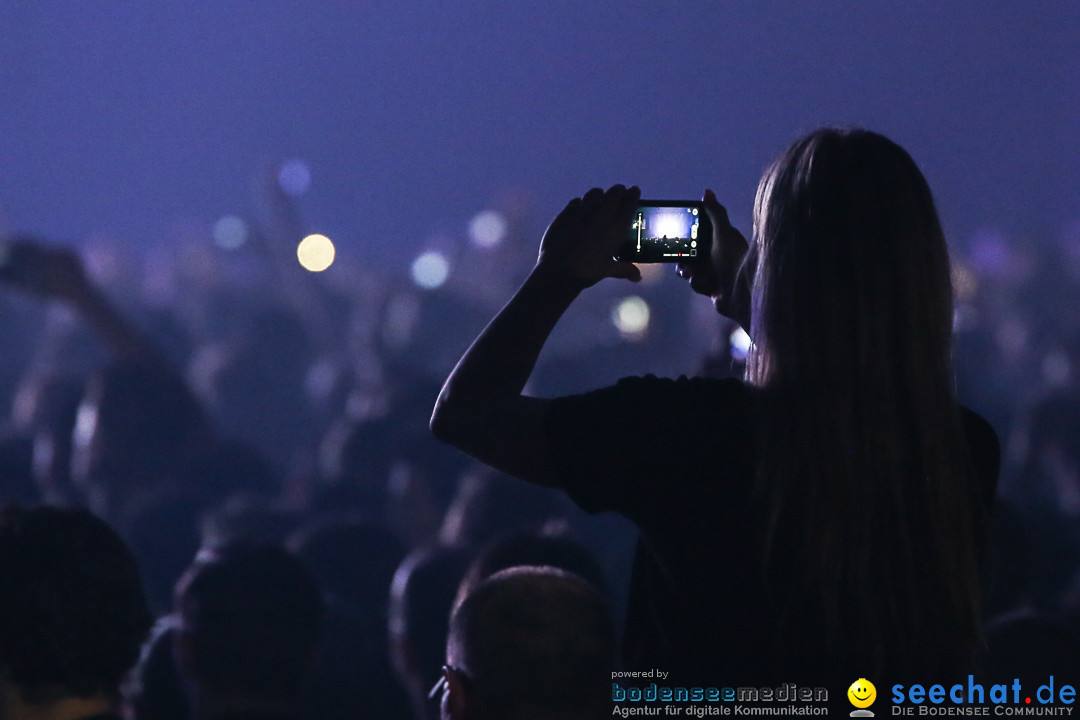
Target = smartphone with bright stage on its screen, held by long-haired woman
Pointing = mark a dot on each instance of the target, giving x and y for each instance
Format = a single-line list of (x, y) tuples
[(667, 232)]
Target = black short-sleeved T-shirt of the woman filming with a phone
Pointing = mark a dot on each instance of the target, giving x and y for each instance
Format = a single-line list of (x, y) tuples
[(678, 458)]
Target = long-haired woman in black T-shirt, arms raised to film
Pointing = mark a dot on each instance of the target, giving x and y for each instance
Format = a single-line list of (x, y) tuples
[(821, 522)]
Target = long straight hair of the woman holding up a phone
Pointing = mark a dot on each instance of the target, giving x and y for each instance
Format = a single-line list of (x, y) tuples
[(865, 463)]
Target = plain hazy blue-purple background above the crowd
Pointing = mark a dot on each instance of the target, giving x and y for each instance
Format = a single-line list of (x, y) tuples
[(127, 117)]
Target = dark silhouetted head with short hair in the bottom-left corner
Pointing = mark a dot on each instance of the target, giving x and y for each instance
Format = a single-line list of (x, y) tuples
[(73, 615)]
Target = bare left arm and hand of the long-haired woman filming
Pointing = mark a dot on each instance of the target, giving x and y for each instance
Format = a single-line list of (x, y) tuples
[(481, 410)]
